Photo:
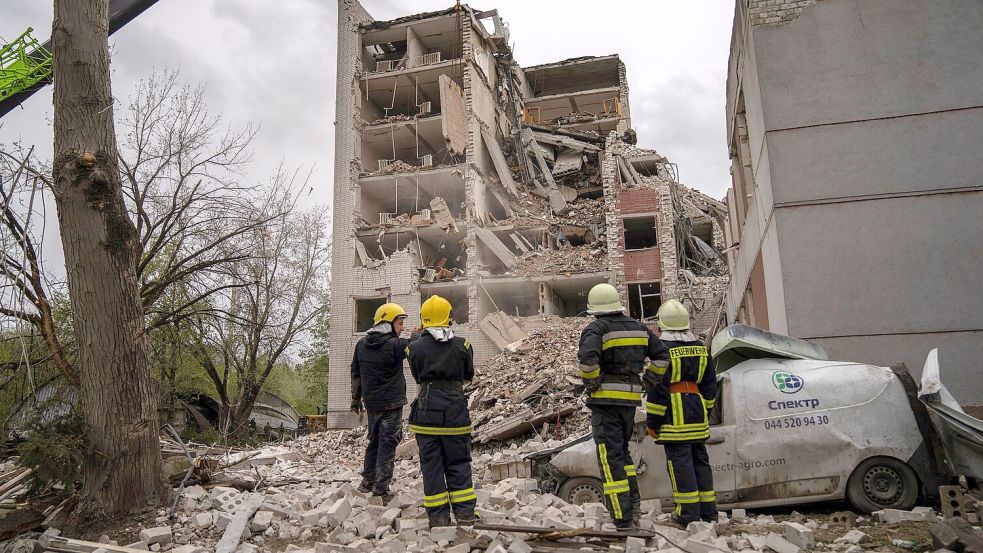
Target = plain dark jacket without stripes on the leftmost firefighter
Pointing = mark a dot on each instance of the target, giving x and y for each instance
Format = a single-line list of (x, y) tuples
[(377, 371)]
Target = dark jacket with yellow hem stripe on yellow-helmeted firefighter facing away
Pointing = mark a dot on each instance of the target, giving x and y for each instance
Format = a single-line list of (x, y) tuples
[(441, 369)]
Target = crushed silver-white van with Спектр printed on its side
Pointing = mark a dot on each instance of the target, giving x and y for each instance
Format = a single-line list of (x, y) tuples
[(789, 427)]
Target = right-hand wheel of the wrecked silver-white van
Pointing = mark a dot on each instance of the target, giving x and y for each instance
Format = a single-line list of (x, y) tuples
[(882, 483)]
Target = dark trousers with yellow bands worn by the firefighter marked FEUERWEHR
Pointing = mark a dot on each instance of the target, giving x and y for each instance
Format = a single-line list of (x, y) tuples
[(692, 481)]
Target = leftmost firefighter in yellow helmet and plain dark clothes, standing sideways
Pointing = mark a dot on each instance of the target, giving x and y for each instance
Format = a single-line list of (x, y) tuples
[(378, 384)]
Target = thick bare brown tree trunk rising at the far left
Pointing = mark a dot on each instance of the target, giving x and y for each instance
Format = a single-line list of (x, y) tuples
[(122, 467)]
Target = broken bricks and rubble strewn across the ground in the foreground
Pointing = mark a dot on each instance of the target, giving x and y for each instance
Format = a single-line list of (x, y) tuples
[(300, 496)]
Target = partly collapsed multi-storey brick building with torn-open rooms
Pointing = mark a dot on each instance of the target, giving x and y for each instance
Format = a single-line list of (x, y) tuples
[(509, 191)]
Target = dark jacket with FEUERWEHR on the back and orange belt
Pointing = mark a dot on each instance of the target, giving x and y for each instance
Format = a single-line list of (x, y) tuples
[(682, 417)]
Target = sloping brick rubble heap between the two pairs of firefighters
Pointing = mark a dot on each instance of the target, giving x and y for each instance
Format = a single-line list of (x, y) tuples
[(542, 386)]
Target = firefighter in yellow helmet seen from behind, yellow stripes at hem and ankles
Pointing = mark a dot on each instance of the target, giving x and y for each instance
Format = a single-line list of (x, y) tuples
[(442, 364)]
